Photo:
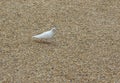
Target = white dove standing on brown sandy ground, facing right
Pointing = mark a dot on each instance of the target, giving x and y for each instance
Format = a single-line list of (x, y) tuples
[(46, 35)]
